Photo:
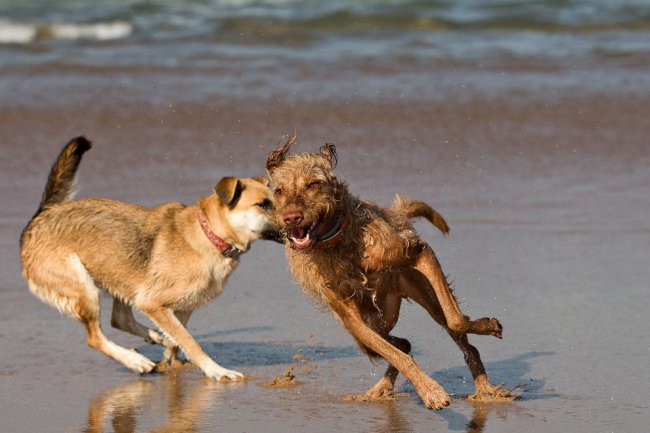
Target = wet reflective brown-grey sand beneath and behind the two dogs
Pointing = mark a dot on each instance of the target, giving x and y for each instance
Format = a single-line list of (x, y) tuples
[(547, 199)]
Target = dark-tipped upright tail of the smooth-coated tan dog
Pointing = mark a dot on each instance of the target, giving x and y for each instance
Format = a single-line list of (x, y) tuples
[(60, 182)]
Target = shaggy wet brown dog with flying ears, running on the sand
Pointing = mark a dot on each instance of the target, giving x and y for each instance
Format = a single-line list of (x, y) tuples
[(361, 260)]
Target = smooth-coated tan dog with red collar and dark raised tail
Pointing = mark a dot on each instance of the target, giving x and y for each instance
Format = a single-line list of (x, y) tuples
[(165, 261)]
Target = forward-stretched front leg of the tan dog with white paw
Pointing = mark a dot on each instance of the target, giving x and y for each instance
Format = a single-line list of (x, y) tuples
[(169, 323)]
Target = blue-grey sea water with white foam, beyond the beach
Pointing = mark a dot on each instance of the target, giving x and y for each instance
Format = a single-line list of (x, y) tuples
[(377, 48)]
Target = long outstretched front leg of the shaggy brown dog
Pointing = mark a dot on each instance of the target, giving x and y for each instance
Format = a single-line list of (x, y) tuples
[(432, 394)]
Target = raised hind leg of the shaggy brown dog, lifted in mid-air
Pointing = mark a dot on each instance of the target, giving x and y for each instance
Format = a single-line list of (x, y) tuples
[(428, 265)]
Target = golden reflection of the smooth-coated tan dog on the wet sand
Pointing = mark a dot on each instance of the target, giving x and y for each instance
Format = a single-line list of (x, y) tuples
[(124, 406)]
